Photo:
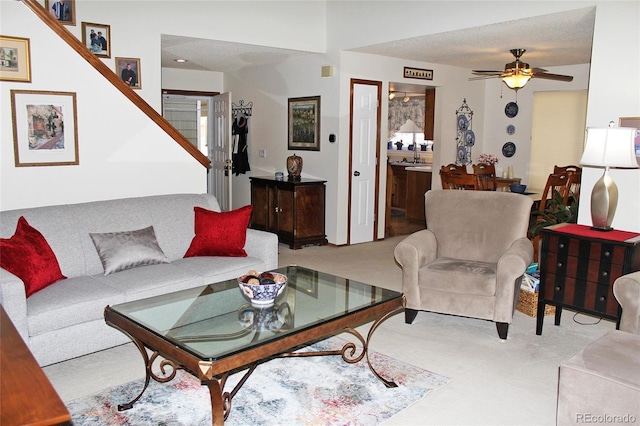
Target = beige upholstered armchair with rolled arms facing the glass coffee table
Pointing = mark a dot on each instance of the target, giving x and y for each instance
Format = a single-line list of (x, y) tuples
[(471, 257)]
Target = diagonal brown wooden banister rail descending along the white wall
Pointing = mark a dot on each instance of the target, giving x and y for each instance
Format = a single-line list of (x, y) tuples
[(103, 69)]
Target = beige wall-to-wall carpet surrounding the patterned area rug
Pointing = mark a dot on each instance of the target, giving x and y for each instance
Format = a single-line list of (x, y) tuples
[(493, 382)]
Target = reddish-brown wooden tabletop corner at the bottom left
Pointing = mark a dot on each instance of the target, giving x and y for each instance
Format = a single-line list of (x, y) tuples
[(26, 395)]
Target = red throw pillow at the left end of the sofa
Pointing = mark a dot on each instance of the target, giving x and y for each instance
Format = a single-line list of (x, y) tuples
[(28, 256)]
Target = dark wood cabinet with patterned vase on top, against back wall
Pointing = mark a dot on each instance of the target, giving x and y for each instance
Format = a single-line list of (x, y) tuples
[(293, 209)]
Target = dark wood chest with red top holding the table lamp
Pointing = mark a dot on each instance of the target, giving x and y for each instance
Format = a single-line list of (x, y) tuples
[(578, 267)]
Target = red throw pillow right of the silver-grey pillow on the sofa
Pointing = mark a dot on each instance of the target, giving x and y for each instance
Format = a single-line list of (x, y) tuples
[(220, 234)]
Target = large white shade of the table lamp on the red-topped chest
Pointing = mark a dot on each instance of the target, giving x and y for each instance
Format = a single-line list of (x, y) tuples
[(610, 147)]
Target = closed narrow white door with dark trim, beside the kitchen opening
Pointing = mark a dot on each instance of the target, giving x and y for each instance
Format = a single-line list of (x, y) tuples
[(363, 162)]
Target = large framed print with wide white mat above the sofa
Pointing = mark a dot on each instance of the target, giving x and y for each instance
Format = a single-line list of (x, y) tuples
[(44, 128)]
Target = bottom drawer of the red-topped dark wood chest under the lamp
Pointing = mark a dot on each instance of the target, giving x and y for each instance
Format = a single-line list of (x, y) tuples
[(588, 295)]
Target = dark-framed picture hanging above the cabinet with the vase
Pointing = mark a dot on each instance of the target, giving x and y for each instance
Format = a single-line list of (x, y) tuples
[(304, 123)]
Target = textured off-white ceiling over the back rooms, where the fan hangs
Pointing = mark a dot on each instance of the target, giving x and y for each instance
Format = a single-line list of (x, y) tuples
[(551, 40)]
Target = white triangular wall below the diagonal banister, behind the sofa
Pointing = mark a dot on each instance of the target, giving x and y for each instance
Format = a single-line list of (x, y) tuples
[(122, 152)]
